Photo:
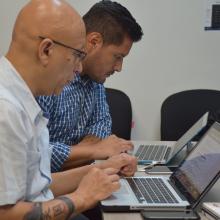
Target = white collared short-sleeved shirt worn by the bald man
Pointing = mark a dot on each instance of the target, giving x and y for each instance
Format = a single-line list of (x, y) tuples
[(24, 141)]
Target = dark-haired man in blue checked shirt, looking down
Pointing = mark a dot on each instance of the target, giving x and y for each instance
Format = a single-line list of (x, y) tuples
[(79, 119)]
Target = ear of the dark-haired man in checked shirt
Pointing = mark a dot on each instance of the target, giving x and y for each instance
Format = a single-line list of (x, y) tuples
[(94, 40)]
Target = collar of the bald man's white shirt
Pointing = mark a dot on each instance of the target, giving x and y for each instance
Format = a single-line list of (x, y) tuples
[(19, 88)]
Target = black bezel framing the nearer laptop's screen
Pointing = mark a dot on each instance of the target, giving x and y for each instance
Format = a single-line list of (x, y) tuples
[(194, 202)]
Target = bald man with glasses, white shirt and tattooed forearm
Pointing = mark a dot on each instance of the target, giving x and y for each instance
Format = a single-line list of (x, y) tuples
[(47, 48)]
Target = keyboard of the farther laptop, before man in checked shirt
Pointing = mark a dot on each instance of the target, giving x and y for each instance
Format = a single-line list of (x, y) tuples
[(152, 152)]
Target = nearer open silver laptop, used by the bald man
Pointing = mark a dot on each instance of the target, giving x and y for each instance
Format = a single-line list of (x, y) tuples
[(183, 190)]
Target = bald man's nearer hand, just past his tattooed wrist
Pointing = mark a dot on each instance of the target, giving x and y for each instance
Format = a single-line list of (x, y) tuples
[(97, 185)]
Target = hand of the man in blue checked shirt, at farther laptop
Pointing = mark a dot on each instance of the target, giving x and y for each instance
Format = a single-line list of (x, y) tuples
[(110, 146)]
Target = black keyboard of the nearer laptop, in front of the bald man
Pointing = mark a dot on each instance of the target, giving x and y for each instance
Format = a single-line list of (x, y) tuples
[(151, 190)]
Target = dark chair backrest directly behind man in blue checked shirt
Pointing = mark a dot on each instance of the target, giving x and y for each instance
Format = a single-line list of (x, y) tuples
[(120, 111)]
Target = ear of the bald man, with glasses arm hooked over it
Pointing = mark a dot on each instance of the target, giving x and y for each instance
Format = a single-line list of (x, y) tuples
[(45, 50)]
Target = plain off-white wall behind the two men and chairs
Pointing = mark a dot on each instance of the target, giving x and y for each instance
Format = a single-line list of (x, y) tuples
[(175, 54)]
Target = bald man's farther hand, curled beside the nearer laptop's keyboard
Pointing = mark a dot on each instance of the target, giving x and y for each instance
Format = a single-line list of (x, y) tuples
[(126, 164)]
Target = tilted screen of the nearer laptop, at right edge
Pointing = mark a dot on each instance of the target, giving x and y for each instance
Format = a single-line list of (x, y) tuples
[(201, 167)]
